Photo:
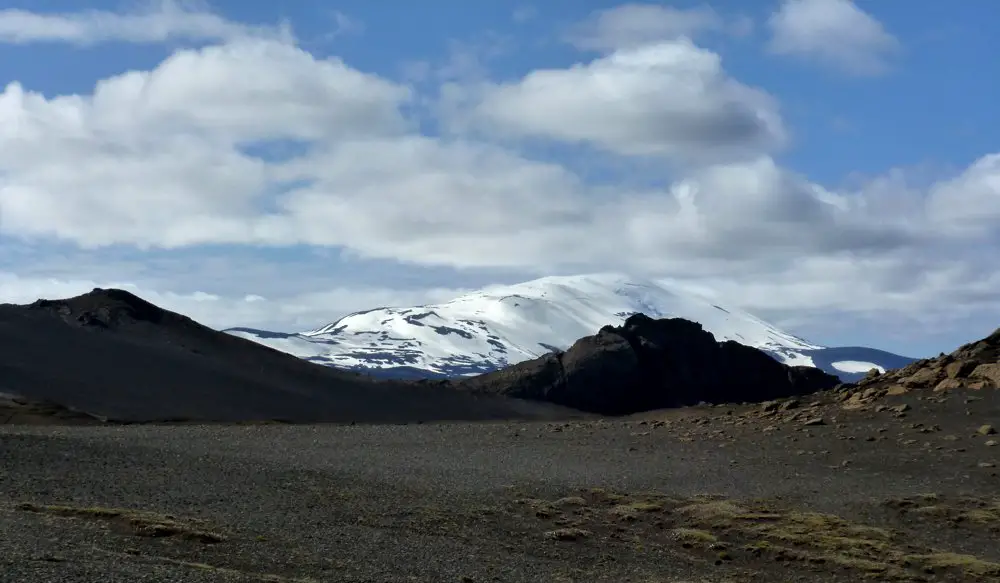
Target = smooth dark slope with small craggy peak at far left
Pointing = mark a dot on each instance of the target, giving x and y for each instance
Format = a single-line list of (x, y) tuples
[(112, 354)]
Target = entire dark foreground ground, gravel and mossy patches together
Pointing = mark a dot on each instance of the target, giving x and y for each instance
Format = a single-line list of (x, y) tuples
[(908, 492)]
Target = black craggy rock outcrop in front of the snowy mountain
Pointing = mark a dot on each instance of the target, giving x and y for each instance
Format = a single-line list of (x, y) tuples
[(650, 364)]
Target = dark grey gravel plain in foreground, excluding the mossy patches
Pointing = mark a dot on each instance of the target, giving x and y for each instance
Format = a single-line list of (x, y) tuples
[(432, 502)]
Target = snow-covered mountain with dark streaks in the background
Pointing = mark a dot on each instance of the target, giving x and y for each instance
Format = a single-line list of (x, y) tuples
[(503, 325)]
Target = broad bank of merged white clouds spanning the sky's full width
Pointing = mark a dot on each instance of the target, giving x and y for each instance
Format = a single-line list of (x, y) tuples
[(184, 155)]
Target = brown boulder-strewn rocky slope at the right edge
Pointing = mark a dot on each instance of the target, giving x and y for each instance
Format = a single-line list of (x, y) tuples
[(973, 366)]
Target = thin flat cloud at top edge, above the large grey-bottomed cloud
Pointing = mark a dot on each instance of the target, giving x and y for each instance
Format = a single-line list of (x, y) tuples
[(635, 25)]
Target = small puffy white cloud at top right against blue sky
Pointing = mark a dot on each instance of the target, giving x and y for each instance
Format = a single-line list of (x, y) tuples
[(833, 32)]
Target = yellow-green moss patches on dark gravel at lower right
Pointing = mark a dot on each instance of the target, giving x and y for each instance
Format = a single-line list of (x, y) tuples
[(749, 532)]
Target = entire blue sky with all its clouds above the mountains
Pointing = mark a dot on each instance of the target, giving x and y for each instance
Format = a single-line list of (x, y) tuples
[(831, 166)]
